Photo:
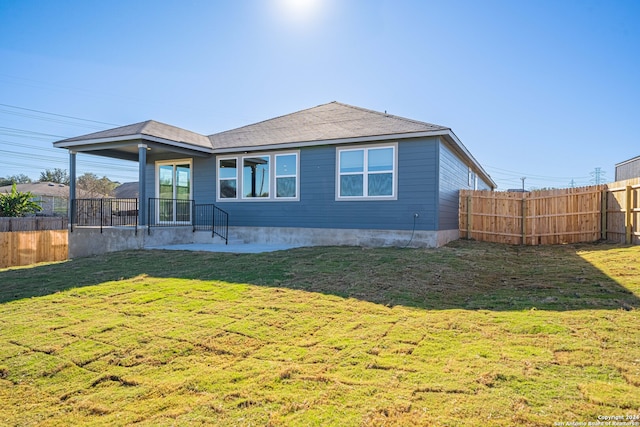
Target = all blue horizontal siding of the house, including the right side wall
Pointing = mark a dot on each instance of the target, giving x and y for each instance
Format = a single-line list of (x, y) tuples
[(429, 176)]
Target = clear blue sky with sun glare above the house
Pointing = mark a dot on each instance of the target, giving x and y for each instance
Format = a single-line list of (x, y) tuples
[(547, 90)]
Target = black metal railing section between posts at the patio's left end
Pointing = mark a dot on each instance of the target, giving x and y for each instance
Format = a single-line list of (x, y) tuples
[(104, 213)]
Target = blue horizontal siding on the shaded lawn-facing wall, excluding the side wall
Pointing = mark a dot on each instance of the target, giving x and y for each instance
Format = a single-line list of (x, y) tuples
[(317, 207)]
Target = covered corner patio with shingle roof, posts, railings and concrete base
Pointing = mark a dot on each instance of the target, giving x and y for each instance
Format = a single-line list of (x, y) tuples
[(165, 200)]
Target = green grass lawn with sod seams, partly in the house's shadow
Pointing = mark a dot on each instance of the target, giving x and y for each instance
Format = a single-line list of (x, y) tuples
[(468, 334)]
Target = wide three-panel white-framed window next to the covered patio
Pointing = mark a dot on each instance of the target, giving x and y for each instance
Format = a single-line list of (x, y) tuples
[(258, 176)]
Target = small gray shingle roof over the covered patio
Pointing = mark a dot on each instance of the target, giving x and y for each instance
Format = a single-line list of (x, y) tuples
[(150, 128)]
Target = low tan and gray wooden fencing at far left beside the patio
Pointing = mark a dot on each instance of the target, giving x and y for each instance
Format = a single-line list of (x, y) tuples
[(43, 241)]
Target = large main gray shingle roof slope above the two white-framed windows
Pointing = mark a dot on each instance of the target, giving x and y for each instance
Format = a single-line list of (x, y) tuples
[(322, 123)]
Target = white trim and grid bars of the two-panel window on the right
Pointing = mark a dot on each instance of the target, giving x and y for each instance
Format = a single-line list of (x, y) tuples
[(365, 173)]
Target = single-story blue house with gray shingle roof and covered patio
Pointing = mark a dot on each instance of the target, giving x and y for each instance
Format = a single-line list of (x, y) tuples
[(334, 174)]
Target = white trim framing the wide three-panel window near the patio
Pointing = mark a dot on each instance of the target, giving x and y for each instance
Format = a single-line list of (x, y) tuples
[(272, 178)]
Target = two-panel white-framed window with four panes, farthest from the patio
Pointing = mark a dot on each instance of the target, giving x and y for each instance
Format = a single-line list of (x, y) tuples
[(367, 173)]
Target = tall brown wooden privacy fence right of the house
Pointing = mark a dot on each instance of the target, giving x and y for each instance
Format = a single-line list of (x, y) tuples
[(572, 215)]
